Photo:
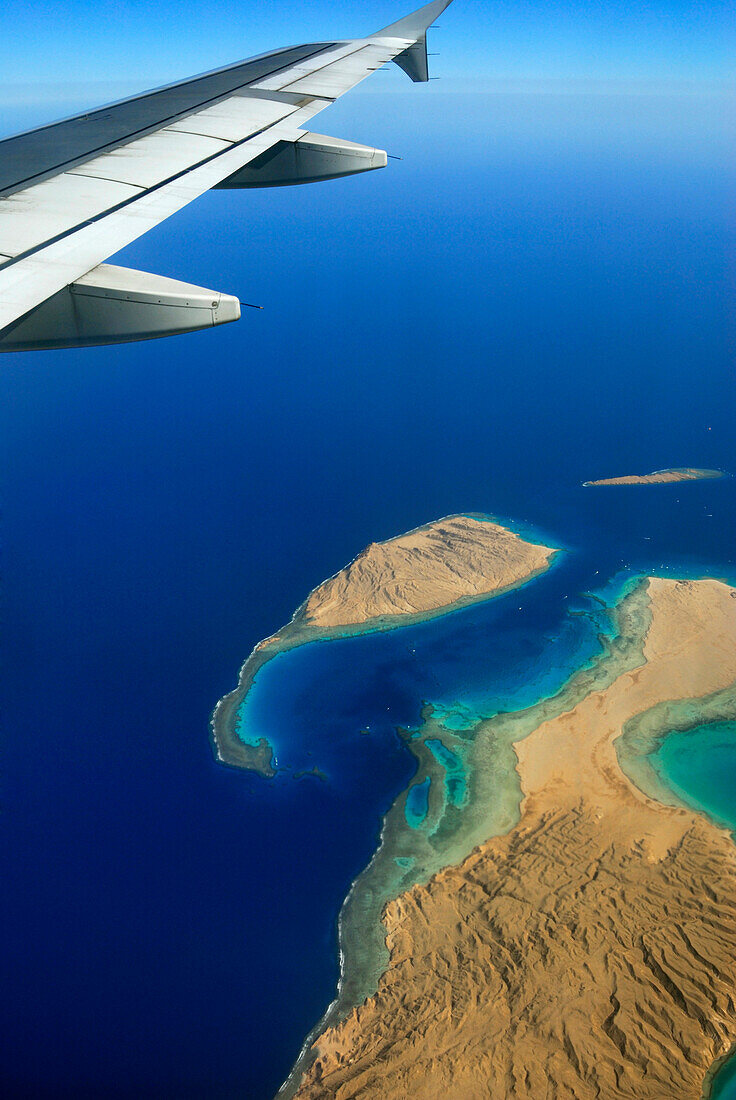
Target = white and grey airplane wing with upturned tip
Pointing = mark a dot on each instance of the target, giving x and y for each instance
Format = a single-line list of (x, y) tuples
[(75, 193)]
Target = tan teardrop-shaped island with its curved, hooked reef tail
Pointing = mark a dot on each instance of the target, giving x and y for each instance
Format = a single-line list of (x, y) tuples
[(444, 566)]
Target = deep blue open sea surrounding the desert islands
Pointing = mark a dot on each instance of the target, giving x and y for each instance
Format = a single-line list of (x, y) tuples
[(540, 294)]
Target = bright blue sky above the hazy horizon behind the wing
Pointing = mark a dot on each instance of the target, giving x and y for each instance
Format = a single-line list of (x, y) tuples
[(60, 57)]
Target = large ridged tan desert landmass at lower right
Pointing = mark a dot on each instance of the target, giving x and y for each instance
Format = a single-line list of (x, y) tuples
[(589, 952)]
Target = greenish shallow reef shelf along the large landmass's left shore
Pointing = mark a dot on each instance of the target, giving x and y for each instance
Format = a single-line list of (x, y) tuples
[(493, 809)]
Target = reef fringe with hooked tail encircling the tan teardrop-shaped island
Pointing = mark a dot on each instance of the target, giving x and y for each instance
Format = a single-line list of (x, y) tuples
[(230, 750)]
